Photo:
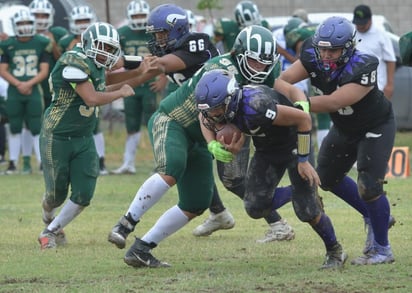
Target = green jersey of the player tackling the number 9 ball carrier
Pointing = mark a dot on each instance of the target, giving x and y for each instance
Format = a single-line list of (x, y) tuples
[(181, 104)]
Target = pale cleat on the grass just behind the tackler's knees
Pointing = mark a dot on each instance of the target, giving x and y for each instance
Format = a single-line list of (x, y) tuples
[(223, 220)]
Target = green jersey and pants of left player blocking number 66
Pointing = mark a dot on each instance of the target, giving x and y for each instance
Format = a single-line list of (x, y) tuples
[(66, 142)]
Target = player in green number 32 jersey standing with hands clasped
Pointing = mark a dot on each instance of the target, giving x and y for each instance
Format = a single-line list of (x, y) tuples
[(24, 65)]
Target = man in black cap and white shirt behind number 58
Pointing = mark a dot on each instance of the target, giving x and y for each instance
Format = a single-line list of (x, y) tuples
[(373, 40)]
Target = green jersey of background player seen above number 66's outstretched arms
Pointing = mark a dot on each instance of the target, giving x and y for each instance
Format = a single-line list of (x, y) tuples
[(134, 42)]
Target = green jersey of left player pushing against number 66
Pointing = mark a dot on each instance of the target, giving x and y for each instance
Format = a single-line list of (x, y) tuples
[(68, 115)]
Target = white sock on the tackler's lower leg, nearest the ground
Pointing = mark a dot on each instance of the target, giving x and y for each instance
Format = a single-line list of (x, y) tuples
[(168, 223)]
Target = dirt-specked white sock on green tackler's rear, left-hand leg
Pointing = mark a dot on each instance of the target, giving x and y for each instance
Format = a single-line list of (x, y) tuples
[(148, 194)]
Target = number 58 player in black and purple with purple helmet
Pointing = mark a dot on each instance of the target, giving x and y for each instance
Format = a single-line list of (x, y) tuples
[(363, 127)]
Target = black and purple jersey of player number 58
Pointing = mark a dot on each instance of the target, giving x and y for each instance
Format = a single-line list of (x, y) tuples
[(372, 110)]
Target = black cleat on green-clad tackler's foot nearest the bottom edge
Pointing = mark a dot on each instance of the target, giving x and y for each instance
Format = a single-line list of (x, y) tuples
[(139, 256)]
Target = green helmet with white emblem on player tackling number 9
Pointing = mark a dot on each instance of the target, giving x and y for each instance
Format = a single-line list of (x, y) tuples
[(257, 43)]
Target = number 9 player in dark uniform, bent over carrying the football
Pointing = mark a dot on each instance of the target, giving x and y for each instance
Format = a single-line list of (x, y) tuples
[(277, 129)]
